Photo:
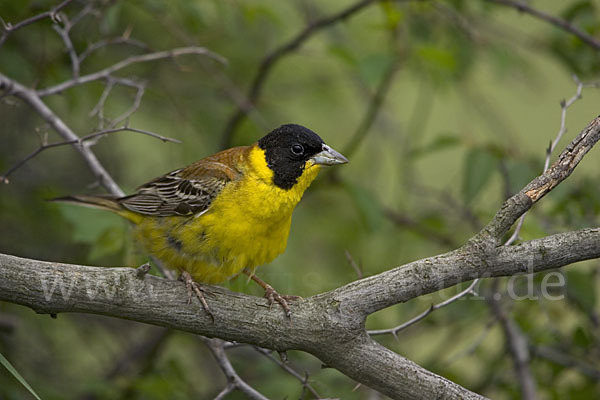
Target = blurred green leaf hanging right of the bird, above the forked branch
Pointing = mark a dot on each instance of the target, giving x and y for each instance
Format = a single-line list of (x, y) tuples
[(479, 166)]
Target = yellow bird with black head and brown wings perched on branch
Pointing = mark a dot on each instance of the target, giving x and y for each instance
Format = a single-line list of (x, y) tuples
[(227, 213)]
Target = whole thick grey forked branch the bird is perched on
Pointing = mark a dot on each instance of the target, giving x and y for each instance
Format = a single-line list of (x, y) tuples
[(330, 325)]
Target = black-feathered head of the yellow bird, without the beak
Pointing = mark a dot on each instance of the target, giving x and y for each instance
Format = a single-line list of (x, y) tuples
[(287, 149)]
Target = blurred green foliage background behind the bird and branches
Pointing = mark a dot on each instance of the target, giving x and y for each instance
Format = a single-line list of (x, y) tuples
[(470, 100)]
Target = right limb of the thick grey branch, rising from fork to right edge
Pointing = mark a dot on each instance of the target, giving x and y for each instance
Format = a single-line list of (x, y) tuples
[(432, 274)]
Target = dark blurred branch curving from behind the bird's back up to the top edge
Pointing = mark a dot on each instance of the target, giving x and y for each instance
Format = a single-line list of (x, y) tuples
[(271, 59)]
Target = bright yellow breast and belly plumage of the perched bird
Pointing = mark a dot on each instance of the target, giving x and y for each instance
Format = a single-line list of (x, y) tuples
[(247, 225)]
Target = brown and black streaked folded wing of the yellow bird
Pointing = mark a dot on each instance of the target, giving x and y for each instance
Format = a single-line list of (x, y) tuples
[(185, 191)]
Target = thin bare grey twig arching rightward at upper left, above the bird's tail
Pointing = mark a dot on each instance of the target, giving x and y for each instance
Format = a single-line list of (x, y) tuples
[(106, 72)]
